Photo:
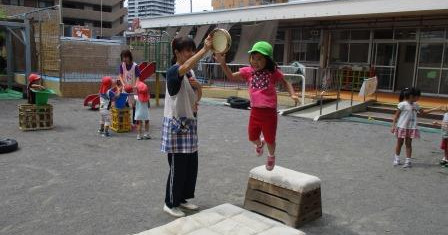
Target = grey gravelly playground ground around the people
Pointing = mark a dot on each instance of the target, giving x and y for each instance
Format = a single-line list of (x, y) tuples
[(71, 181)]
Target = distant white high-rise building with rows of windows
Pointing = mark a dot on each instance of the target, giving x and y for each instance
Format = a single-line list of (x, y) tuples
[(147, 8)]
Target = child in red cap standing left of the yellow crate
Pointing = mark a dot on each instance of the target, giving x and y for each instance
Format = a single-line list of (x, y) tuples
[(106, 96)]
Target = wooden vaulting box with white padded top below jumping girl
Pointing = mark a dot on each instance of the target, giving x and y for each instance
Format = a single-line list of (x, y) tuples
[(285, 195)]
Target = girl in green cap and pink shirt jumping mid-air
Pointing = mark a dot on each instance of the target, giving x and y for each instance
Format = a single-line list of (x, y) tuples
[(262, 76)]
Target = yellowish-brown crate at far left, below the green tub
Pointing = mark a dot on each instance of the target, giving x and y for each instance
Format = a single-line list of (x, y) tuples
[(32, 117)]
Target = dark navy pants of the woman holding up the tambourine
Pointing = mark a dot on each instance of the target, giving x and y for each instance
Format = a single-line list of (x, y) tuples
[(181, 182)]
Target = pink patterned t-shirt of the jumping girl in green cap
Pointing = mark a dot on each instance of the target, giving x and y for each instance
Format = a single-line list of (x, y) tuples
[(262, 86)]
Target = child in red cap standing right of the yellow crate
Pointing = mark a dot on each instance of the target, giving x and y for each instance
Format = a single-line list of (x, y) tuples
[(142, 110)]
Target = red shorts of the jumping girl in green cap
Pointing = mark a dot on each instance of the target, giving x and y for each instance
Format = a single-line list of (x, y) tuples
[(263, 120)]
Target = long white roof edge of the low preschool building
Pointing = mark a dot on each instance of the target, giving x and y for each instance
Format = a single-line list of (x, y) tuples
[(316, 9)]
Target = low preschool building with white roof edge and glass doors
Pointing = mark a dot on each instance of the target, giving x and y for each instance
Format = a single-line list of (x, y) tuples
[(403, 42)]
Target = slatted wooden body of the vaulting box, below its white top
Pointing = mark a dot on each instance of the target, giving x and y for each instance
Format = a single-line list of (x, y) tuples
[(285, 205)]
